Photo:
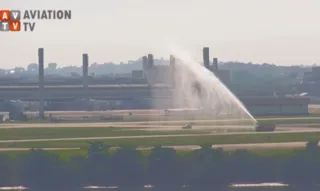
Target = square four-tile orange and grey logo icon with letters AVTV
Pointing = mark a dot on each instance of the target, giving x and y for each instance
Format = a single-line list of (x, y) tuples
[(10, 20)]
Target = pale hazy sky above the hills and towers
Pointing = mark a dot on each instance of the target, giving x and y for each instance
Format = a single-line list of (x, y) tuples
[(283, 32)]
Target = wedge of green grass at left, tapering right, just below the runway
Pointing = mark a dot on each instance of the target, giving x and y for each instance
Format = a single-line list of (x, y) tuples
[(72, 132)]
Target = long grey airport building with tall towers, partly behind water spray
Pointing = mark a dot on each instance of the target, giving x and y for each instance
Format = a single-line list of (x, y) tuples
[(156, 94)]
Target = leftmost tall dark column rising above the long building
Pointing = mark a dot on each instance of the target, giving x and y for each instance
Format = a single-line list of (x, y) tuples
[(41, 81)]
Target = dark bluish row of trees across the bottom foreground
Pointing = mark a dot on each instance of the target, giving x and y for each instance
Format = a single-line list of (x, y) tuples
[(162, 167)]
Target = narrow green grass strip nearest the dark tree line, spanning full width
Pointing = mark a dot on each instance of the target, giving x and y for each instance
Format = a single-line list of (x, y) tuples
[(169, 141)]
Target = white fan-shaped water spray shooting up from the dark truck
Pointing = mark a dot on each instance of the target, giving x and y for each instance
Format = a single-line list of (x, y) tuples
[(200, 89)]
